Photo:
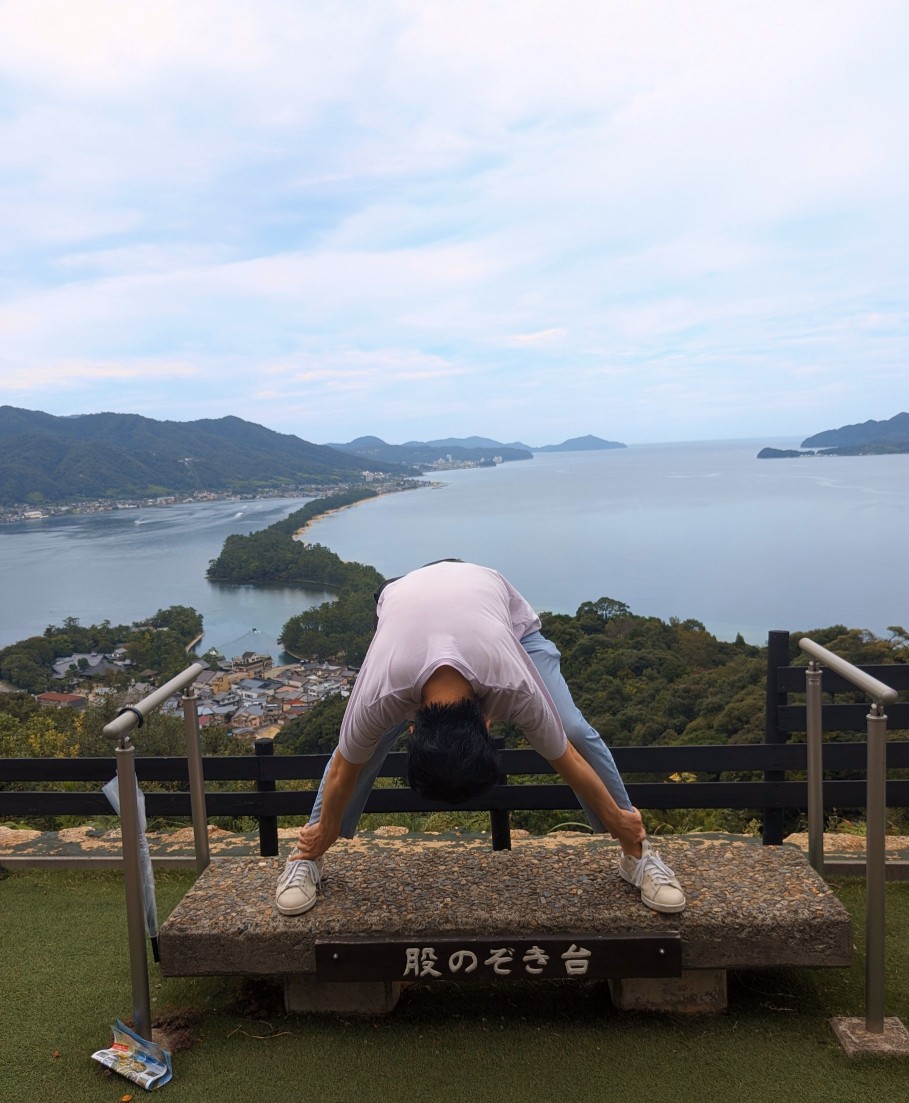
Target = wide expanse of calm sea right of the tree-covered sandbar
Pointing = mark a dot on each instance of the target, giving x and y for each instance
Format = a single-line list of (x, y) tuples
[(704, 531)]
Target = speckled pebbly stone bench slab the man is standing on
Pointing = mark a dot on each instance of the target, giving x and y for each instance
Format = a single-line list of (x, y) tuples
[(748, 906)]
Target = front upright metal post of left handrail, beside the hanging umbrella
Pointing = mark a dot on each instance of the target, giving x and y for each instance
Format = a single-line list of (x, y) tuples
[(133, 880)]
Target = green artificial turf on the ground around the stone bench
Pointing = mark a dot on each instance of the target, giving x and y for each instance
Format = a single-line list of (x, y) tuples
[(66, 978)]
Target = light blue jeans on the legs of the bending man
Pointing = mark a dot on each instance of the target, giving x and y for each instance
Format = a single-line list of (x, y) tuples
[(585, 740)]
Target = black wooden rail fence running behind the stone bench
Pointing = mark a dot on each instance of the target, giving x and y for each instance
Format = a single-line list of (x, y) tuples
[(766, 789)]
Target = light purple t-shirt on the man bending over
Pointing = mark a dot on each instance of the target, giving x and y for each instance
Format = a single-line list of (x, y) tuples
[(454, 615)]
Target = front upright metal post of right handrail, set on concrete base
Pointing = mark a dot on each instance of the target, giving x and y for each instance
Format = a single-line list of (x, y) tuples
[(876, 819)]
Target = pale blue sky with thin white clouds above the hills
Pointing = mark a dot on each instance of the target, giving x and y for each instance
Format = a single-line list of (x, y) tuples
[(528, 221)]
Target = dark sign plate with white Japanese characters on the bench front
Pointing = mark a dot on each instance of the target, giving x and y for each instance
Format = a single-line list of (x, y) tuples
[(501, 957)]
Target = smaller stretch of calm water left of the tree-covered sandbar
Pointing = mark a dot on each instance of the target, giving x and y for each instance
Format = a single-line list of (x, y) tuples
[(124, 566)]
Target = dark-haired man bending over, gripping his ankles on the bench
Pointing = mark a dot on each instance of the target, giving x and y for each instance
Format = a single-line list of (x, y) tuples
[(457, 648)]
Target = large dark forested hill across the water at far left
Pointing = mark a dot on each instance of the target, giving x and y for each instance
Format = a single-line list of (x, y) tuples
[(124, 456)]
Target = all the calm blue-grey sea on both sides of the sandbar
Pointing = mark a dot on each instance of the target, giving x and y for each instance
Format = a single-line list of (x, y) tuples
[(701, 531)]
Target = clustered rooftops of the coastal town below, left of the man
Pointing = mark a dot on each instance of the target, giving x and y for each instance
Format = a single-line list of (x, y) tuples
[(249, 695)]
